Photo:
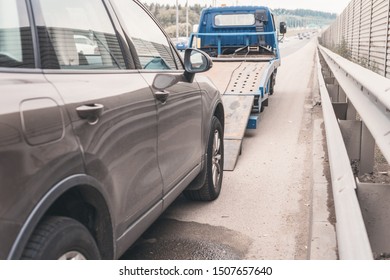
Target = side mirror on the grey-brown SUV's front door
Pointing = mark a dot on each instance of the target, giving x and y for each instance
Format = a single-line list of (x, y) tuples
[(195, 61)]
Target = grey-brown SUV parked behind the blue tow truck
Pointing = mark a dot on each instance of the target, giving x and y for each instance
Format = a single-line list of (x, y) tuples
[(102, 126)]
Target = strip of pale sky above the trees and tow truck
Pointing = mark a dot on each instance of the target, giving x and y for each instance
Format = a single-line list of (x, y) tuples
[(332, 6)]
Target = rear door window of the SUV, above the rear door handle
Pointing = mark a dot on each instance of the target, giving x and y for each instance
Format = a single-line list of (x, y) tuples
[(77, 34)]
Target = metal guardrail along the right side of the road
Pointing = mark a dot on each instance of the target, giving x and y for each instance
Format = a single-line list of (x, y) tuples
[(347, 89)]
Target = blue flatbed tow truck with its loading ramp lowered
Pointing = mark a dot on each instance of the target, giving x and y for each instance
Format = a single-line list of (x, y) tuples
[(243, 43)]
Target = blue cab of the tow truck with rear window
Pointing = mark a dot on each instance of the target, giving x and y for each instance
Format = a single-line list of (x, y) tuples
[(233, 32)]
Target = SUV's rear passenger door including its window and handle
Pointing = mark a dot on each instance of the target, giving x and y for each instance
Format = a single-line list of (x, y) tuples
[(112, 110)]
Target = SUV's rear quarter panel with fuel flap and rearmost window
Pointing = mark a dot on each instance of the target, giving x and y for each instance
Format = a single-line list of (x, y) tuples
[(37, 143)]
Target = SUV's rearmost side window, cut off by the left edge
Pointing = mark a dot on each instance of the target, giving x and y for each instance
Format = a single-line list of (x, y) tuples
[(16, 47)]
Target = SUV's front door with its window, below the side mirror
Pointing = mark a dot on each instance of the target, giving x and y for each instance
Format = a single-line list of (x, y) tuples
[(179, 107)]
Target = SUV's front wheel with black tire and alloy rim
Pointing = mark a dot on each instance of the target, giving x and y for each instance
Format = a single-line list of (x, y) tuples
[(214, 166)]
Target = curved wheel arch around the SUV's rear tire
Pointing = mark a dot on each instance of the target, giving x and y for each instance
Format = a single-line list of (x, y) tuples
[(80, 197)]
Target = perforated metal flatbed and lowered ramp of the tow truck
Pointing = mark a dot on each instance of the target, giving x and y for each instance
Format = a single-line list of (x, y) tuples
[(238, 83)]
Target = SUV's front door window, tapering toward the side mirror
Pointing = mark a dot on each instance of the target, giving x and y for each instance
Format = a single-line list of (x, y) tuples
[(152, 46)]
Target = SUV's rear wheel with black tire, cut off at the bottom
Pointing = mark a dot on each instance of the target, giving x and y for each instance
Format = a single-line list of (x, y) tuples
[(61, 238)]
